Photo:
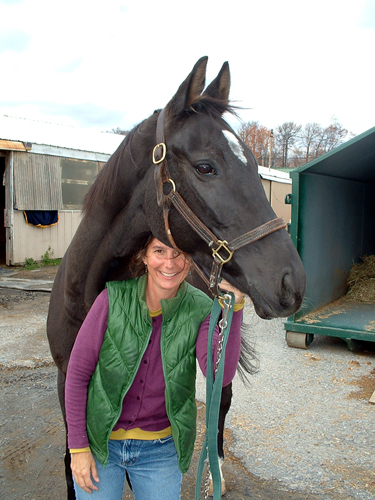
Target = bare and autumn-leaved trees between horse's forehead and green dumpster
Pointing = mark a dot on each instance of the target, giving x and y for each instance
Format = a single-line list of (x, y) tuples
[(290, 145)]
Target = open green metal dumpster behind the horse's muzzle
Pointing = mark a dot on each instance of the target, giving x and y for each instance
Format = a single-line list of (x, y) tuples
[(333, 226)]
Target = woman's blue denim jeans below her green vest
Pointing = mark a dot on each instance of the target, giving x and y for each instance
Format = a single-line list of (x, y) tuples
[(152, 467)]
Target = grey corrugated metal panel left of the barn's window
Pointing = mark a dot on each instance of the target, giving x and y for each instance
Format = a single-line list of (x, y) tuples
[(37, 182)]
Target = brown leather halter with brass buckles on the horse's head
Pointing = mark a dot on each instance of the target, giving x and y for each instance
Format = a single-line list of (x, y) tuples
[(222, 251)]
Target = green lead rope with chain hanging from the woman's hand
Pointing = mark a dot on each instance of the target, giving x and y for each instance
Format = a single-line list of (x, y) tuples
[(213, 396)]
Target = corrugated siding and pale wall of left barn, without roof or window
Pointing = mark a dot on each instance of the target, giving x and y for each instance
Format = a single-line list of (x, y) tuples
[(37, 186)]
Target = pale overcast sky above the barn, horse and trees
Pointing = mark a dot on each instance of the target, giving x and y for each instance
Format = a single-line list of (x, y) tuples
[(111, 63)]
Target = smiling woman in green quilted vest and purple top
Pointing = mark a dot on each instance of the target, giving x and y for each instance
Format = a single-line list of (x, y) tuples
[(130, 387)]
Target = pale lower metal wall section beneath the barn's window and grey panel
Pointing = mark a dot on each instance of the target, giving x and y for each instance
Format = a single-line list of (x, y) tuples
[(30, 241)]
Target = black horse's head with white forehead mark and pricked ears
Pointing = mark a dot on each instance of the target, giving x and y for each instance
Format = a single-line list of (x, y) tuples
[(217, 176)]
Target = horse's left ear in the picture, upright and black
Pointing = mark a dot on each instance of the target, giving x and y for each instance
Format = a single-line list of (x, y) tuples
[(190, 90)]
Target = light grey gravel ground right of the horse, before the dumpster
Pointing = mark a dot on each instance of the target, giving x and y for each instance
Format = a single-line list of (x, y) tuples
[(305, 419)]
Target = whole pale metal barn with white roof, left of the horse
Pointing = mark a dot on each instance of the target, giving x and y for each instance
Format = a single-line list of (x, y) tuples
[(37, 177)]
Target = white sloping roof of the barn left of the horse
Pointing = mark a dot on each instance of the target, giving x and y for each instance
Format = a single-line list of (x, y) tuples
[(60, 136)]
